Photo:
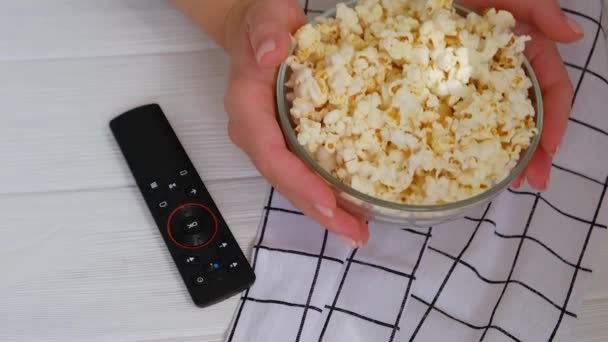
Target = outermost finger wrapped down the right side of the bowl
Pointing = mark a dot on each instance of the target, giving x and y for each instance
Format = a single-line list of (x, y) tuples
[(556, 89)]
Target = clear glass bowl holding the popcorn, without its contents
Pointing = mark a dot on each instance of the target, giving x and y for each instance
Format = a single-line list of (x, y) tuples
[(369, 207)]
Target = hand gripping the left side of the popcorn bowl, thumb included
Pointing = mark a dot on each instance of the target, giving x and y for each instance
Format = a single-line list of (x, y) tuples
[(258, 40)]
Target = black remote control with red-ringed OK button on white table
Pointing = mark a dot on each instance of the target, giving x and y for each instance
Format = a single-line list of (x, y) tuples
[(207, 256)]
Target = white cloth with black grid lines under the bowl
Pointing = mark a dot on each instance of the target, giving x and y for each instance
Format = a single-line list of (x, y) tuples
[(516, 270)]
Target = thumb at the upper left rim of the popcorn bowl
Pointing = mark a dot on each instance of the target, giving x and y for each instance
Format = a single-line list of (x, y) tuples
[(269, 24)]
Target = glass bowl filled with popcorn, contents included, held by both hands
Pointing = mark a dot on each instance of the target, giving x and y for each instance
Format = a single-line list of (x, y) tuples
[(414, 111)]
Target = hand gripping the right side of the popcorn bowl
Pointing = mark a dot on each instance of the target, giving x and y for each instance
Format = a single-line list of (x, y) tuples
[(545, 22)]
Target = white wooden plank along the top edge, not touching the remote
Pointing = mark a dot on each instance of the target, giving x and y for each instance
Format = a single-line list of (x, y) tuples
[(68, 29)]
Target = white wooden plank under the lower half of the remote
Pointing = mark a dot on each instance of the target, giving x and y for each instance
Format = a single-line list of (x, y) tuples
[(90, 265)]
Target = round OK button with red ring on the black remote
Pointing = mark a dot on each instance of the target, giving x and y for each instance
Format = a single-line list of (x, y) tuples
[(192, 226)]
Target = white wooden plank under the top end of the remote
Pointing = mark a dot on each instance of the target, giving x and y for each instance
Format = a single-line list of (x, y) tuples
[(54, 134)]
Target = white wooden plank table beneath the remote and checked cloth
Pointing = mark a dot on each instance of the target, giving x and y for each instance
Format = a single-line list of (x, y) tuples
[(80, 257)]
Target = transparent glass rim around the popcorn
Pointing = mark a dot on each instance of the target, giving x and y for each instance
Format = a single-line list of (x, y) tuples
[(288, 131)]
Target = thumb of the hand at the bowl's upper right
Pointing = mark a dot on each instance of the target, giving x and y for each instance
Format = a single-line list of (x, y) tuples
[(544, 14)]
